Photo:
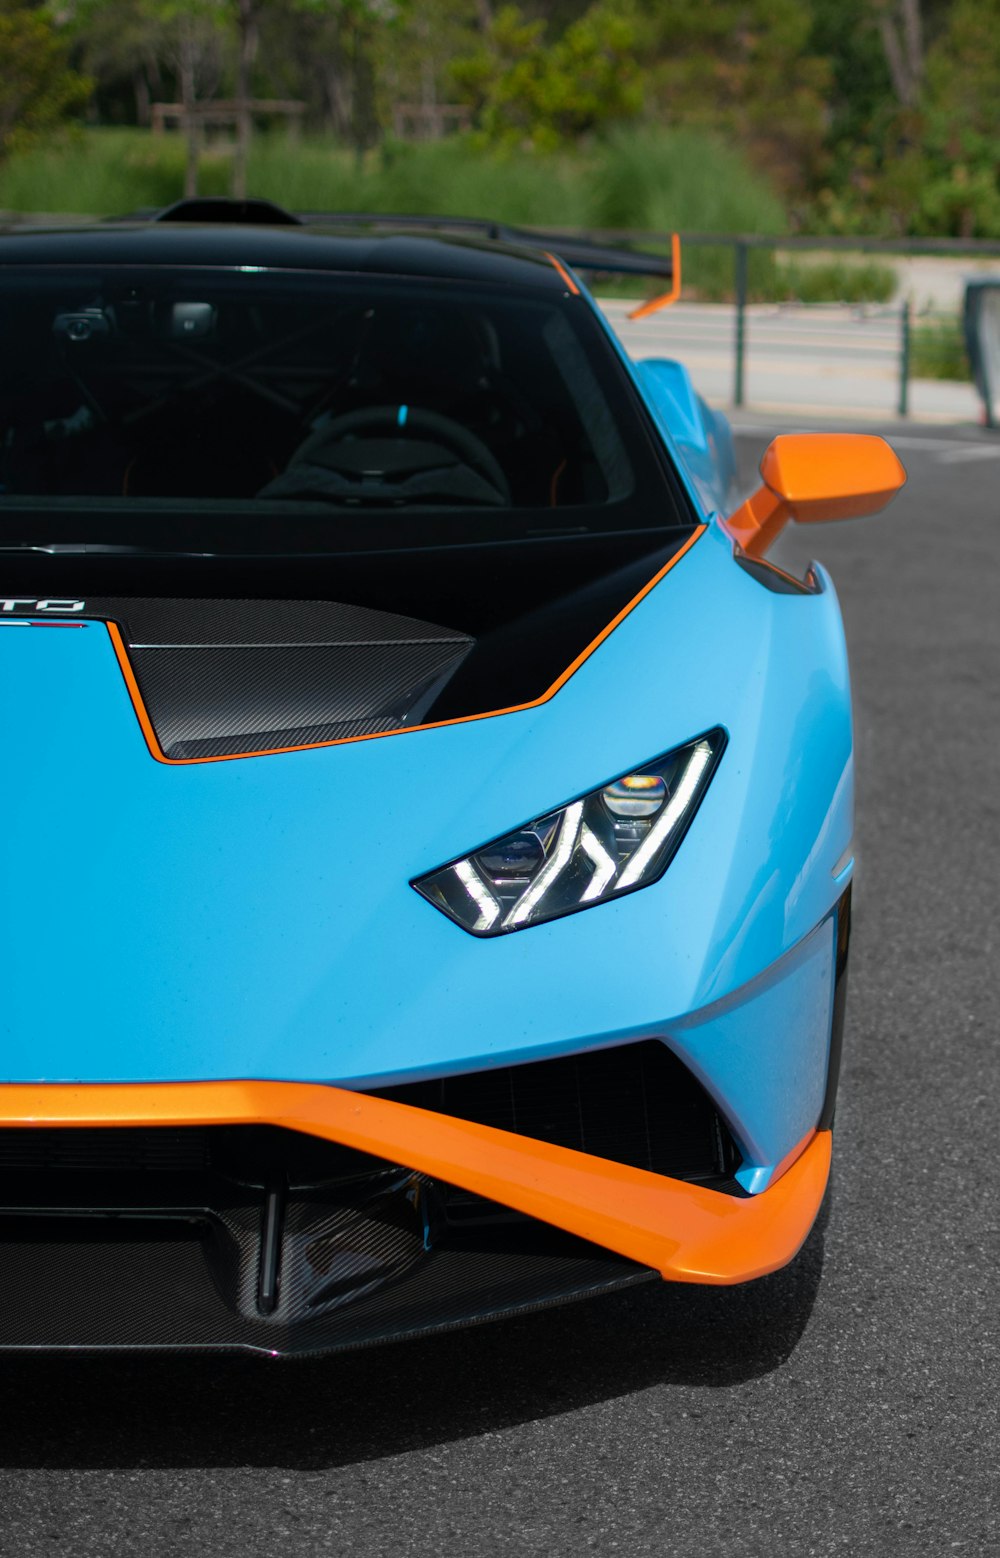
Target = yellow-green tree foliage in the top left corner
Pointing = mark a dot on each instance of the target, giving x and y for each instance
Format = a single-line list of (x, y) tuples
[(38, 88)]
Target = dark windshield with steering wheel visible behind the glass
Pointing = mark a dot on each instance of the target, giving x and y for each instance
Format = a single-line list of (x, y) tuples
[(259, 393)]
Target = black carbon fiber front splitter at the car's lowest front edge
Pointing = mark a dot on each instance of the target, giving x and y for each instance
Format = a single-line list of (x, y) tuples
[(105, 1286)]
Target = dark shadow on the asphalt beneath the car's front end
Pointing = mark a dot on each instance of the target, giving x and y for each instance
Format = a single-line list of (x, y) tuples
[(183, 1412)]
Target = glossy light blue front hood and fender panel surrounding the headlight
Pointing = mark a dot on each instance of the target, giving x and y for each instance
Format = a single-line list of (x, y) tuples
[(255, 918)]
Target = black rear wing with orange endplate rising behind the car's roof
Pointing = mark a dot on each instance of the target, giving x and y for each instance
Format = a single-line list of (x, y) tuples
[(611, 255)]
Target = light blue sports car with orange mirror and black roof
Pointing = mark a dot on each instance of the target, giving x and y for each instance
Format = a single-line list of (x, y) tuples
[(429, 812)]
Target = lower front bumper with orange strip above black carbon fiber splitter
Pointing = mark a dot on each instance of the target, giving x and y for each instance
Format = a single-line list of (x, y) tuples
[(266, 1272)]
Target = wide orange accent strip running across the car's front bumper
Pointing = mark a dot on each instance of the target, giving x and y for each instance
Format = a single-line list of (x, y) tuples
[(685, 1232)]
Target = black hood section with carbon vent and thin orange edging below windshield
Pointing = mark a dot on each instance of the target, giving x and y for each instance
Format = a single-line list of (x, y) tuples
[(239, 655)]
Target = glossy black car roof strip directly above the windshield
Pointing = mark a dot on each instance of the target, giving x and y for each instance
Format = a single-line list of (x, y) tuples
[(314, 249)]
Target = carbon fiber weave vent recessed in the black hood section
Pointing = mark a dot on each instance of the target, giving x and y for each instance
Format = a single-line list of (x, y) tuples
[(222, 677)]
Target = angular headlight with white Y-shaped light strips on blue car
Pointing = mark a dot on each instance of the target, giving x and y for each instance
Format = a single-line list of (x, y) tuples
[(611, 842)]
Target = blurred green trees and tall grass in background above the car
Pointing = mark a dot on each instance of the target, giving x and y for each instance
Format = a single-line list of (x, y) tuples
[(822, 116)]
